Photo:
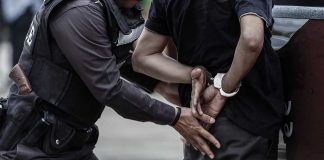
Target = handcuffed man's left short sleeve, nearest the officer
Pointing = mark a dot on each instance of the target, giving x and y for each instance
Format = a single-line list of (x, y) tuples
[(156, 21)]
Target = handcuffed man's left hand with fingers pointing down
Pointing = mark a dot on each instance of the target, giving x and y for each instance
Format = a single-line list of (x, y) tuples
[(199, 77)]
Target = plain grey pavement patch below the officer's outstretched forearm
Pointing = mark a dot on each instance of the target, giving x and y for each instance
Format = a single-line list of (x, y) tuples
[(122, 139)]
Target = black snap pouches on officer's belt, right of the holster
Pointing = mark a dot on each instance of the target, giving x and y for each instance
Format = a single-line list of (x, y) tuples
[(61, 137)]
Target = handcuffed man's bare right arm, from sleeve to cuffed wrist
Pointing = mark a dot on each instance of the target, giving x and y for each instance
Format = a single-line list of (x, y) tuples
[(247, 51)]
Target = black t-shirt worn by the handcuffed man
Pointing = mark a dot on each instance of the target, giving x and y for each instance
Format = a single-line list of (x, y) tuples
[(206, 33)]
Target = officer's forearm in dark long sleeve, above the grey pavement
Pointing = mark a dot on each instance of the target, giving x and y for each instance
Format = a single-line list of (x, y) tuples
[(130, 103)]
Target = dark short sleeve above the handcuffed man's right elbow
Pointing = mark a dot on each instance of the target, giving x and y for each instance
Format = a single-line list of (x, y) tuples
[(260, 8)]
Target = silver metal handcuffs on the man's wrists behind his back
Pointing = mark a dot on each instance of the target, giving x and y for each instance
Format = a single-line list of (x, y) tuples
[(217, 82)]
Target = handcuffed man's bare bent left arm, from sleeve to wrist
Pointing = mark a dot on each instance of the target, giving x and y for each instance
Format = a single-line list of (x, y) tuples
[(148, 59)]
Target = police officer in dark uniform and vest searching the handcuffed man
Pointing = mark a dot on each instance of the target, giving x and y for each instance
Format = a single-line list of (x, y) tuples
[(71, 56)]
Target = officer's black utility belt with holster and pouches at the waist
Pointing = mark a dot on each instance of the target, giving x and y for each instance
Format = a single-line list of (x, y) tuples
[(25, 121)]
